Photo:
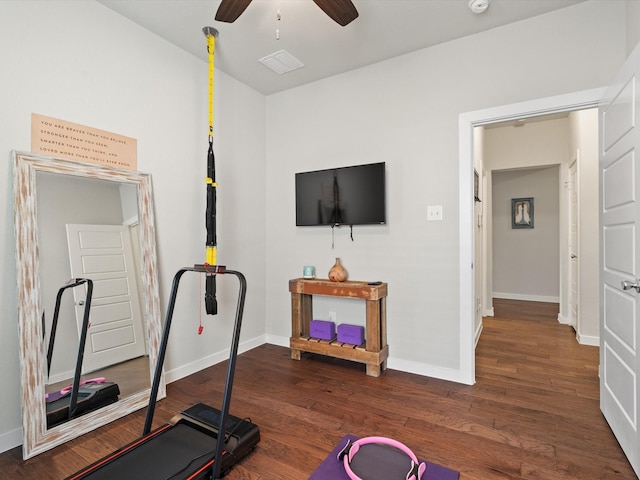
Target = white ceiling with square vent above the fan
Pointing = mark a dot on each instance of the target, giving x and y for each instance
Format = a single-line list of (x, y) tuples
[(384, 29)]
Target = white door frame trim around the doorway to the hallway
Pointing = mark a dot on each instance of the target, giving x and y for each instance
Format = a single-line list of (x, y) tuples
[(466, 123)]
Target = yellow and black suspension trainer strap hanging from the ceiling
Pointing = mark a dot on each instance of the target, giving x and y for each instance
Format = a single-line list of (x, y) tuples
[(211, 304)]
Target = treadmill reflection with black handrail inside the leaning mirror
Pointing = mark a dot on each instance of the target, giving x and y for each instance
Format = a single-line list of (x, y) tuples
[(80, 397)]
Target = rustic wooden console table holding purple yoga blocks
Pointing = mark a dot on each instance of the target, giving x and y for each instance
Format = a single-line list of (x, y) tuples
[(375, 350)]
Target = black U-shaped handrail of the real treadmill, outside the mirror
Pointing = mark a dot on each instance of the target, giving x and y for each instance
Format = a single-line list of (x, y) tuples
[(209, 270)]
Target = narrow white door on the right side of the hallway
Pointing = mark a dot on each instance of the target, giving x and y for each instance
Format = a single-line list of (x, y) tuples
[(574, 275)]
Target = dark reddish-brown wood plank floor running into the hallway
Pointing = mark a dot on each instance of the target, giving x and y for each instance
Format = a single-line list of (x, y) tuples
[(533, 413)]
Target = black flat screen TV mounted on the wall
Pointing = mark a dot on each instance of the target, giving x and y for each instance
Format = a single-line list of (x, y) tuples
[(341, 196)]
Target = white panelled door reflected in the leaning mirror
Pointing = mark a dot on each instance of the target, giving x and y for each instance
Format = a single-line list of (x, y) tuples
[(104, 254)]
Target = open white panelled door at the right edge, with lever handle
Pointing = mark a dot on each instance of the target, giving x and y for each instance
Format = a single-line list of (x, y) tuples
[(620, 258)]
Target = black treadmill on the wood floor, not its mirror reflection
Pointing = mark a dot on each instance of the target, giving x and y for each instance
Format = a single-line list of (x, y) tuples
[(202, 442)]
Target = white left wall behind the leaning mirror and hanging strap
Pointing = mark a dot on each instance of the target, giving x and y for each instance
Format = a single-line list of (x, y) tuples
[(81, 62)]
